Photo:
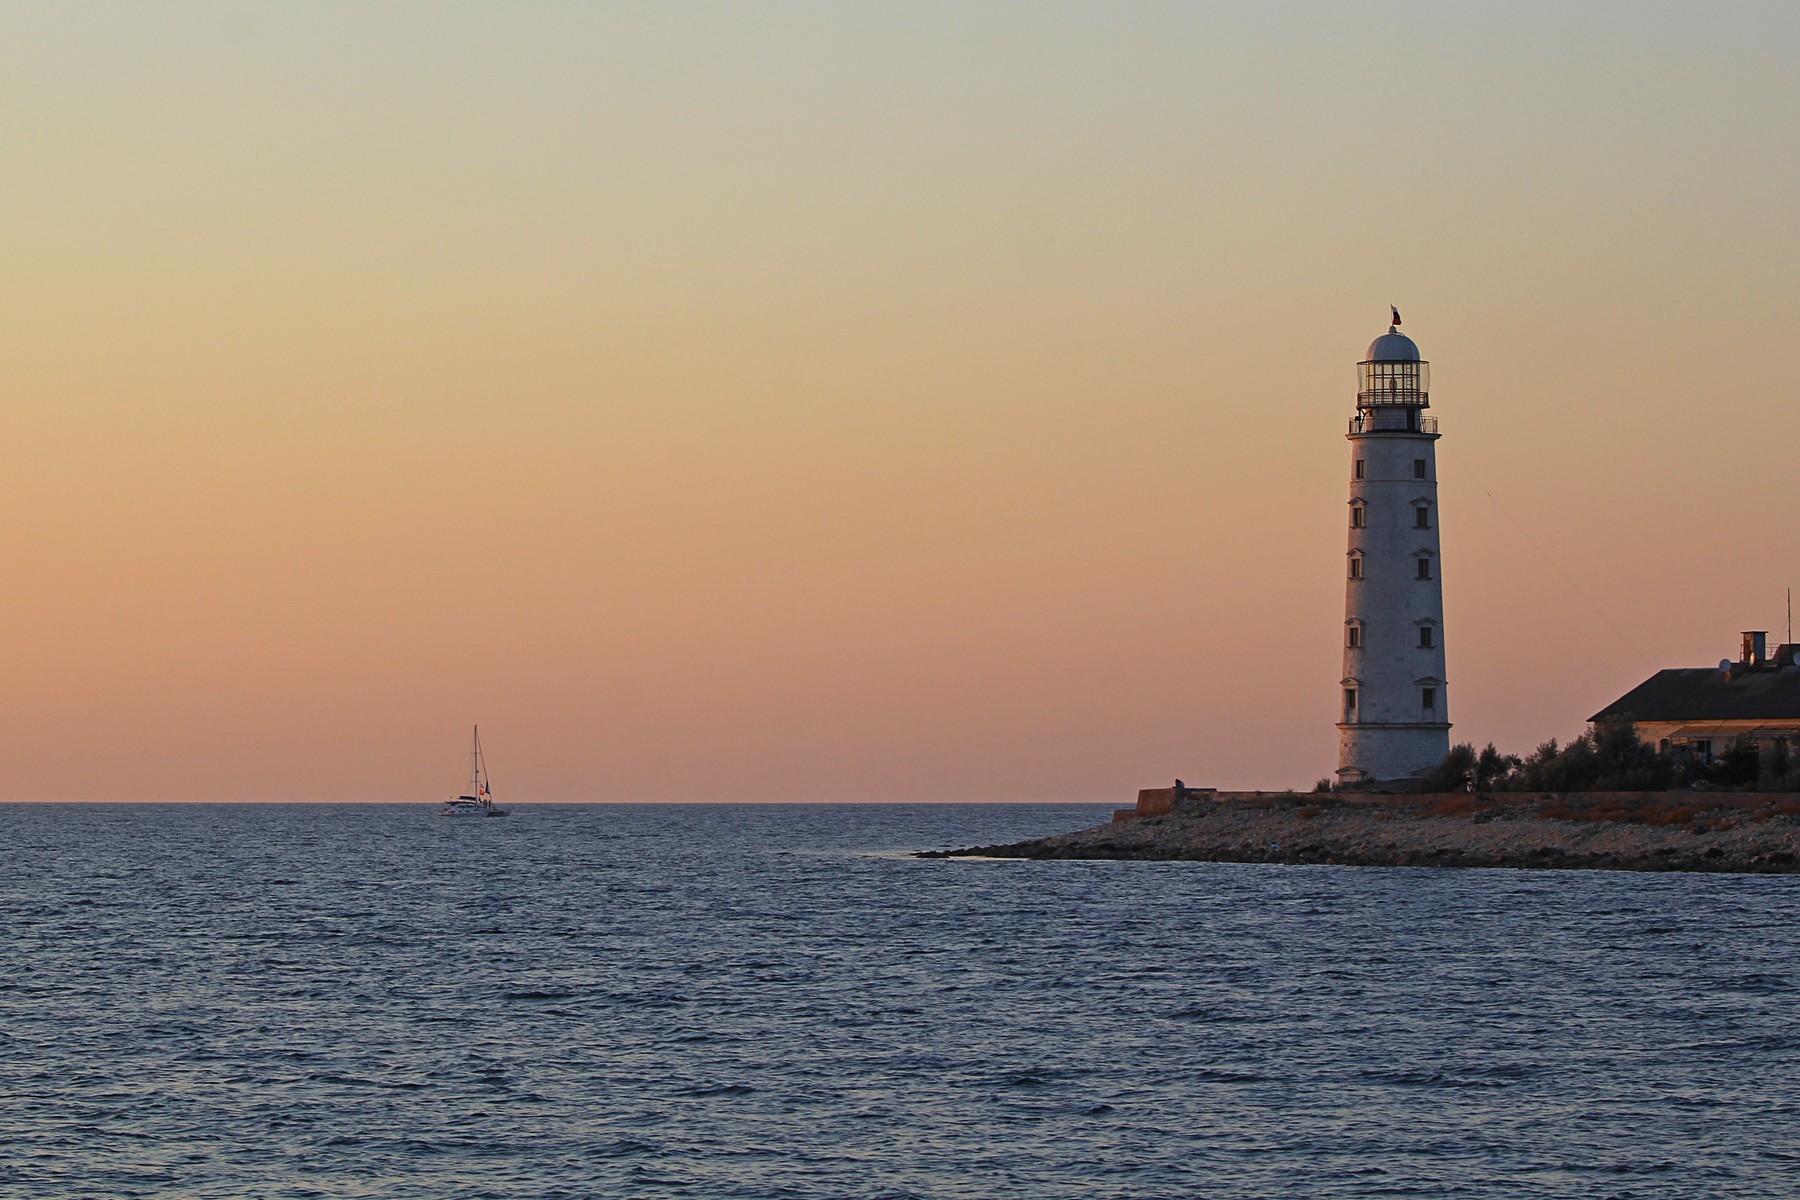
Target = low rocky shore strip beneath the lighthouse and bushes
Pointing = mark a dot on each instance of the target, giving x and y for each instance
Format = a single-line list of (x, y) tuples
[(1610, 832)]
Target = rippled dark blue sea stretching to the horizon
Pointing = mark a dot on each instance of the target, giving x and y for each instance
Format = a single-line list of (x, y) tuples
[(782, 1003)]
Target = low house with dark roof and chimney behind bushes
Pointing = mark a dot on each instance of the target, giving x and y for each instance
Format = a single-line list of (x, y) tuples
[(1704, 710)]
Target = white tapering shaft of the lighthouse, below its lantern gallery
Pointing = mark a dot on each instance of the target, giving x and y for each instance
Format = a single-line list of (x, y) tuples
[(1392, 735)]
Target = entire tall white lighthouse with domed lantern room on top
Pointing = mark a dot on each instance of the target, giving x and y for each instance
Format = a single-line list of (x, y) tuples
[(1396, 717)]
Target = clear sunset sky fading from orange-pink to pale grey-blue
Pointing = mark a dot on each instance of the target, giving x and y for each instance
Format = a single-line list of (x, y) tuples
[(913, 402)]
